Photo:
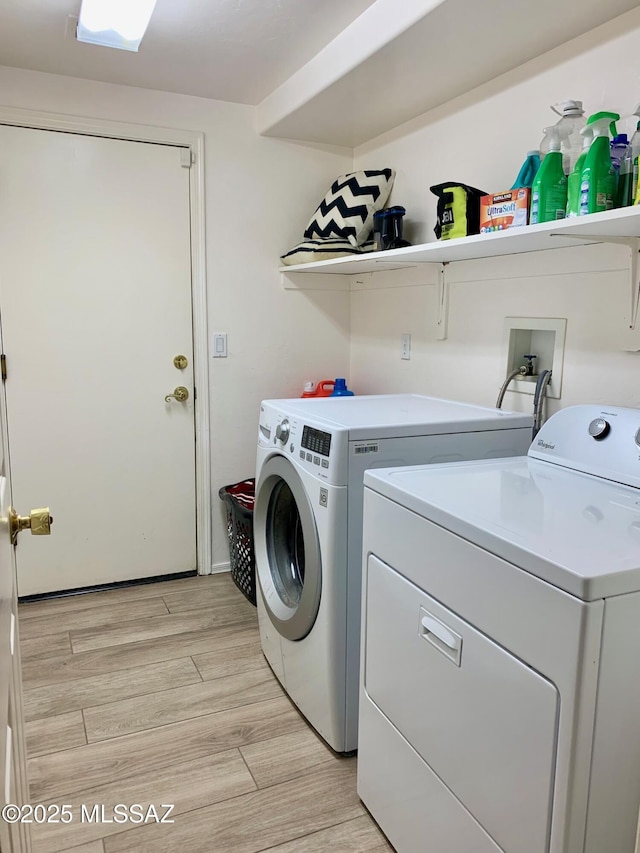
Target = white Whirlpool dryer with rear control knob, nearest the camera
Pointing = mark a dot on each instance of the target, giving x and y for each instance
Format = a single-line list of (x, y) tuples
[(500, 683)]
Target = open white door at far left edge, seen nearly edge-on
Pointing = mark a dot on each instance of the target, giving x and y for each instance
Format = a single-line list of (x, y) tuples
[(14, 837)]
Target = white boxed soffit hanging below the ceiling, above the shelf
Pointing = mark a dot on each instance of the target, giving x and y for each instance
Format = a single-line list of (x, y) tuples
[(400, 59)]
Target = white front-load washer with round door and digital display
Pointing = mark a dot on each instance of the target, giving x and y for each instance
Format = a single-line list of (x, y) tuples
[(312, 454)]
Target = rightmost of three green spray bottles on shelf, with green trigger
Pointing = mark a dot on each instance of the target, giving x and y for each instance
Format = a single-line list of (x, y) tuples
[(598, 182)]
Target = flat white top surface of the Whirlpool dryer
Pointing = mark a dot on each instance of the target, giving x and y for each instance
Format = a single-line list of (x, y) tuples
[(576, 531)]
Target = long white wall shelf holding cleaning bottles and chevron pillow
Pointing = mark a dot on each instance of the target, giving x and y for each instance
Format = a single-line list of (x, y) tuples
[(612, 226)]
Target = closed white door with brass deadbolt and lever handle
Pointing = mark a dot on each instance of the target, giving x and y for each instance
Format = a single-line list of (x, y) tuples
[(95, 294)]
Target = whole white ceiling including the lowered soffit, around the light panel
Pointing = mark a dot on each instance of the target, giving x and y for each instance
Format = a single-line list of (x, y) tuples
[(337, 72)]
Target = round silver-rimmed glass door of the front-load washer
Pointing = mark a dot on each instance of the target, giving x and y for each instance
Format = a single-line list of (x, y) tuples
[(288, 560)]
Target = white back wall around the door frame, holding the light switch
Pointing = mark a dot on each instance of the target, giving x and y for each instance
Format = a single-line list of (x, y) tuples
[(259, 194)]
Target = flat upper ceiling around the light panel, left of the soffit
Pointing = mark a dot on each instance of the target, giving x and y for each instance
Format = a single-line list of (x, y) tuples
[(231, 50)]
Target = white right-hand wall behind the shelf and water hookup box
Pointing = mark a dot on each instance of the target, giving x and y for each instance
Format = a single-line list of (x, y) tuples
[(482, 139)]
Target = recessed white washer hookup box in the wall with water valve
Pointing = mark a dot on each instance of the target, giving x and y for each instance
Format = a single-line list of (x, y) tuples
[(539, 336)]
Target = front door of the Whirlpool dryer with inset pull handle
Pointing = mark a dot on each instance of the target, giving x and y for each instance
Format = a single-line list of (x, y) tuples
[(483, 721)]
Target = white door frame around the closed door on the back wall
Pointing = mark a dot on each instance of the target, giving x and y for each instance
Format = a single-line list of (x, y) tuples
[(193, 143)]
